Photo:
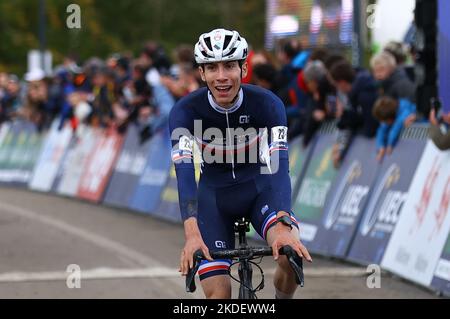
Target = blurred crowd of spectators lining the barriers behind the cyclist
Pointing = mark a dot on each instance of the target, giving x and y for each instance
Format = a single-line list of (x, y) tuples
[(315, 85)]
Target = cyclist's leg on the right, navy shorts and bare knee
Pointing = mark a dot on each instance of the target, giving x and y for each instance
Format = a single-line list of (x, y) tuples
[(263, 215)]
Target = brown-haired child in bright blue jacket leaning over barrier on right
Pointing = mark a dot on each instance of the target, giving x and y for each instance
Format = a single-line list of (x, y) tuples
[(391, 114)]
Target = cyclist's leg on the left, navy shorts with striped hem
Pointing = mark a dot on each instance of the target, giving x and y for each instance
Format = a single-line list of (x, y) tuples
[(217, 233)]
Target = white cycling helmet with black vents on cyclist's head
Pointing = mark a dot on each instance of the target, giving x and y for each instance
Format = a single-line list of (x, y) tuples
[(220, 45)]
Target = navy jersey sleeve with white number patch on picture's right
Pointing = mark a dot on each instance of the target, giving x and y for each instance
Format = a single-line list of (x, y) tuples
[(279, 155)]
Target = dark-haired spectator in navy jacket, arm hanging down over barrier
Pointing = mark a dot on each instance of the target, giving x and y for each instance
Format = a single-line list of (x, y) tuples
[(357, 93)]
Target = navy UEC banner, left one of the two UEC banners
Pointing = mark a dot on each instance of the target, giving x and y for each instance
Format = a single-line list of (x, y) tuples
[(346, 199)]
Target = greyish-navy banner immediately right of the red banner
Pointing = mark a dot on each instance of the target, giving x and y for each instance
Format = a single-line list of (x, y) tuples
[(128, 169)]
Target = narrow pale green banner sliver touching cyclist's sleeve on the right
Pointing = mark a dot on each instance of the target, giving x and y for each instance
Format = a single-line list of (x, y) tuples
[(298, 157)]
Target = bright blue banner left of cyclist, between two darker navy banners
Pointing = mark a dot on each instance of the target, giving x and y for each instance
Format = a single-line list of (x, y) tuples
[(155, 175)]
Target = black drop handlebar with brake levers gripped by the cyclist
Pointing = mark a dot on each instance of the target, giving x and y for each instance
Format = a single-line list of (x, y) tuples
[(247, 253)]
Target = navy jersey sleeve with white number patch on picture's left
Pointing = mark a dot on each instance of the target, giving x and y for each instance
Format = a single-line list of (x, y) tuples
[(182, 156)]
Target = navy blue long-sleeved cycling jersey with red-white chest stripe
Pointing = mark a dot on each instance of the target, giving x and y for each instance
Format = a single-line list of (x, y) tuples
[(247, 141)]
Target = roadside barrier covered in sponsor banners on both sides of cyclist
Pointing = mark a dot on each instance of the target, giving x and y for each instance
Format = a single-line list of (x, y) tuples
[(394, 213)]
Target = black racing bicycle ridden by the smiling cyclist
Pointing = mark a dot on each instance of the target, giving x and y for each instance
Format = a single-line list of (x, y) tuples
[(244, 256)]
